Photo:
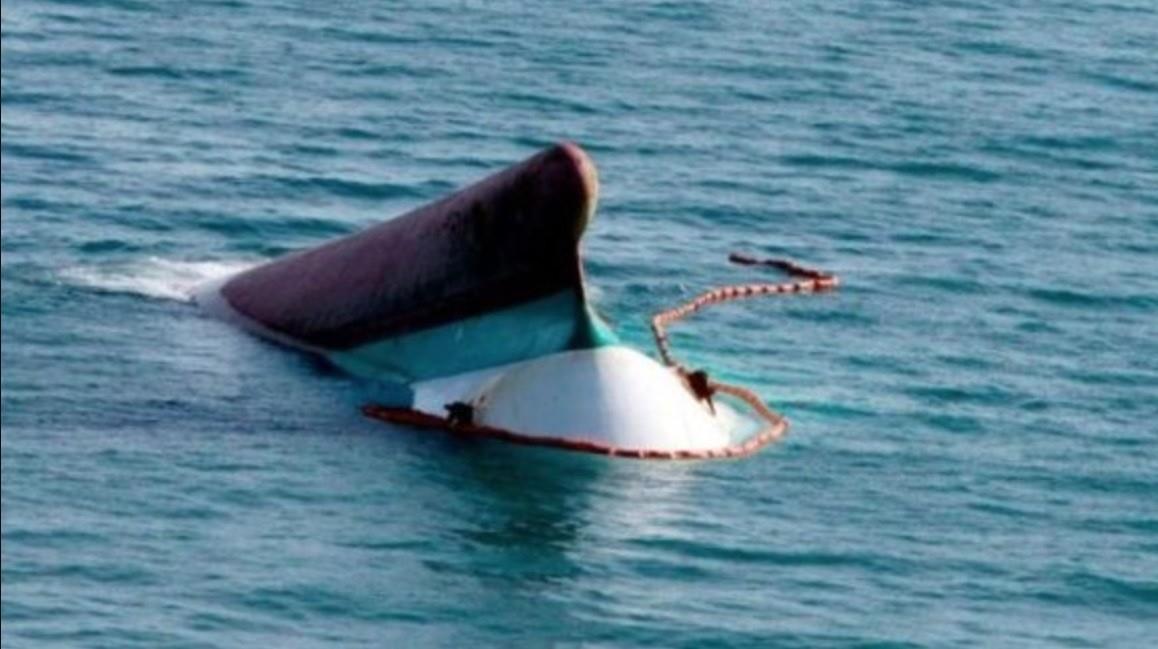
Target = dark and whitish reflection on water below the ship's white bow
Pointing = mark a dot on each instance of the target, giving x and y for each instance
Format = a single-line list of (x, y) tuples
[(531, 520)]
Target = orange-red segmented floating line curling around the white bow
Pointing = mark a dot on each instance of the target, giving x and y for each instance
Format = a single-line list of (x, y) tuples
[(460, 421)]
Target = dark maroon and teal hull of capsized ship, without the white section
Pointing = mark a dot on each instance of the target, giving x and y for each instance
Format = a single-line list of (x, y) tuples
[(494, 269)]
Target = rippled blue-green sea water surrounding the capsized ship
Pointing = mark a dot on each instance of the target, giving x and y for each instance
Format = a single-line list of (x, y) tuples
[(973, 460)]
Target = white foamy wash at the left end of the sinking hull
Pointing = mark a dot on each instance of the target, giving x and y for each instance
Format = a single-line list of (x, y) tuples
[(165, 280)]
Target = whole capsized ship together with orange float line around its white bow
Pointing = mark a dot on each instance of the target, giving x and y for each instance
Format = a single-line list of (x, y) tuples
[(478, 303)]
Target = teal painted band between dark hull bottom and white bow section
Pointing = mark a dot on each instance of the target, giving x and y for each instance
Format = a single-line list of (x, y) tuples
[(547, 326)]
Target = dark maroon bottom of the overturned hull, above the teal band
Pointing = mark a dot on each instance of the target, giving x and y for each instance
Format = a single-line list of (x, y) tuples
[(507, 240)]
